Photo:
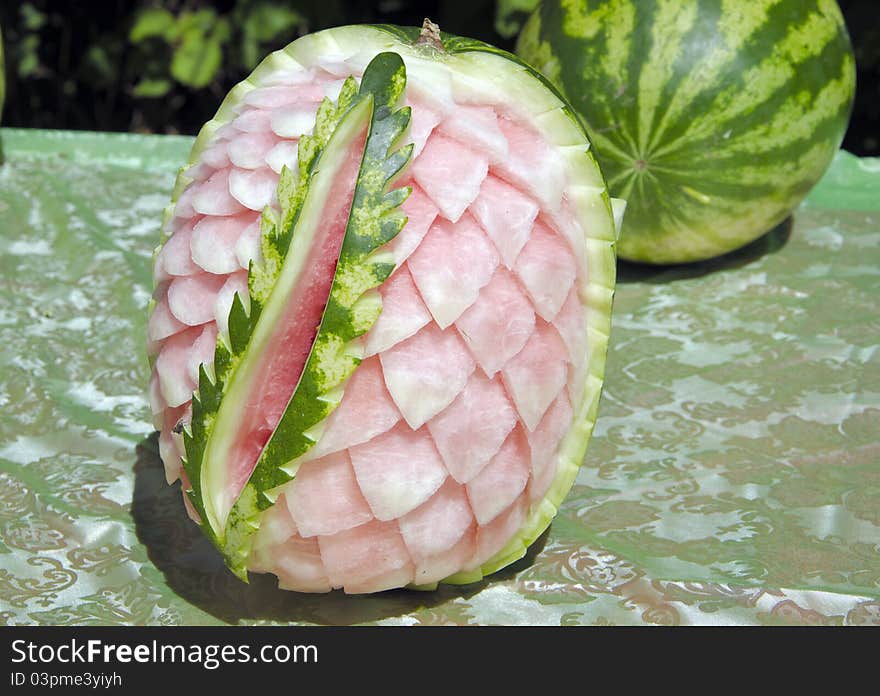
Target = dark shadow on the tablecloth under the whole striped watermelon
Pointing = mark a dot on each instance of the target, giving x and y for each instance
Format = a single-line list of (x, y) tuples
[(768, 243)]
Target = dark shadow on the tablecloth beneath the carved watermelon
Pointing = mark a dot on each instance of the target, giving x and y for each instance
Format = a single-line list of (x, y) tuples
[(195, 572)]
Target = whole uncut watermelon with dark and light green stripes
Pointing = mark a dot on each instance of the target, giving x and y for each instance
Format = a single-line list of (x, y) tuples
[(713, 118)]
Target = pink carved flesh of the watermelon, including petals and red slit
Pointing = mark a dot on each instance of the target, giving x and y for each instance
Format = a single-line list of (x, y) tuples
[(449, 429)]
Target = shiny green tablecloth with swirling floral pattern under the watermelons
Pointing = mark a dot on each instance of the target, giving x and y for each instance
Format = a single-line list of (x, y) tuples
[(734, 476)]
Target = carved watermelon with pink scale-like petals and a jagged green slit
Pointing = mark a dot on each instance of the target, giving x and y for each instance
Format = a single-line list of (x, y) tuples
[(381, 312)]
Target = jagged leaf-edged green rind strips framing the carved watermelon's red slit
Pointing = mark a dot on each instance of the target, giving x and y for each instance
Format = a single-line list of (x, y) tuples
[(353, 305)]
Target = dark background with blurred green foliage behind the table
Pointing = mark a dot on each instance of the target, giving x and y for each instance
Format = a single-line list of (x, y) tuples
[(163, 67)]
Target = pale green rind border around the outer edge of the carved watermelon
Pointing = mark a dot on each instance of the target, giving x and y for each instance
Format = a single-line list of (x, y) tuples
[(540, 103)]
